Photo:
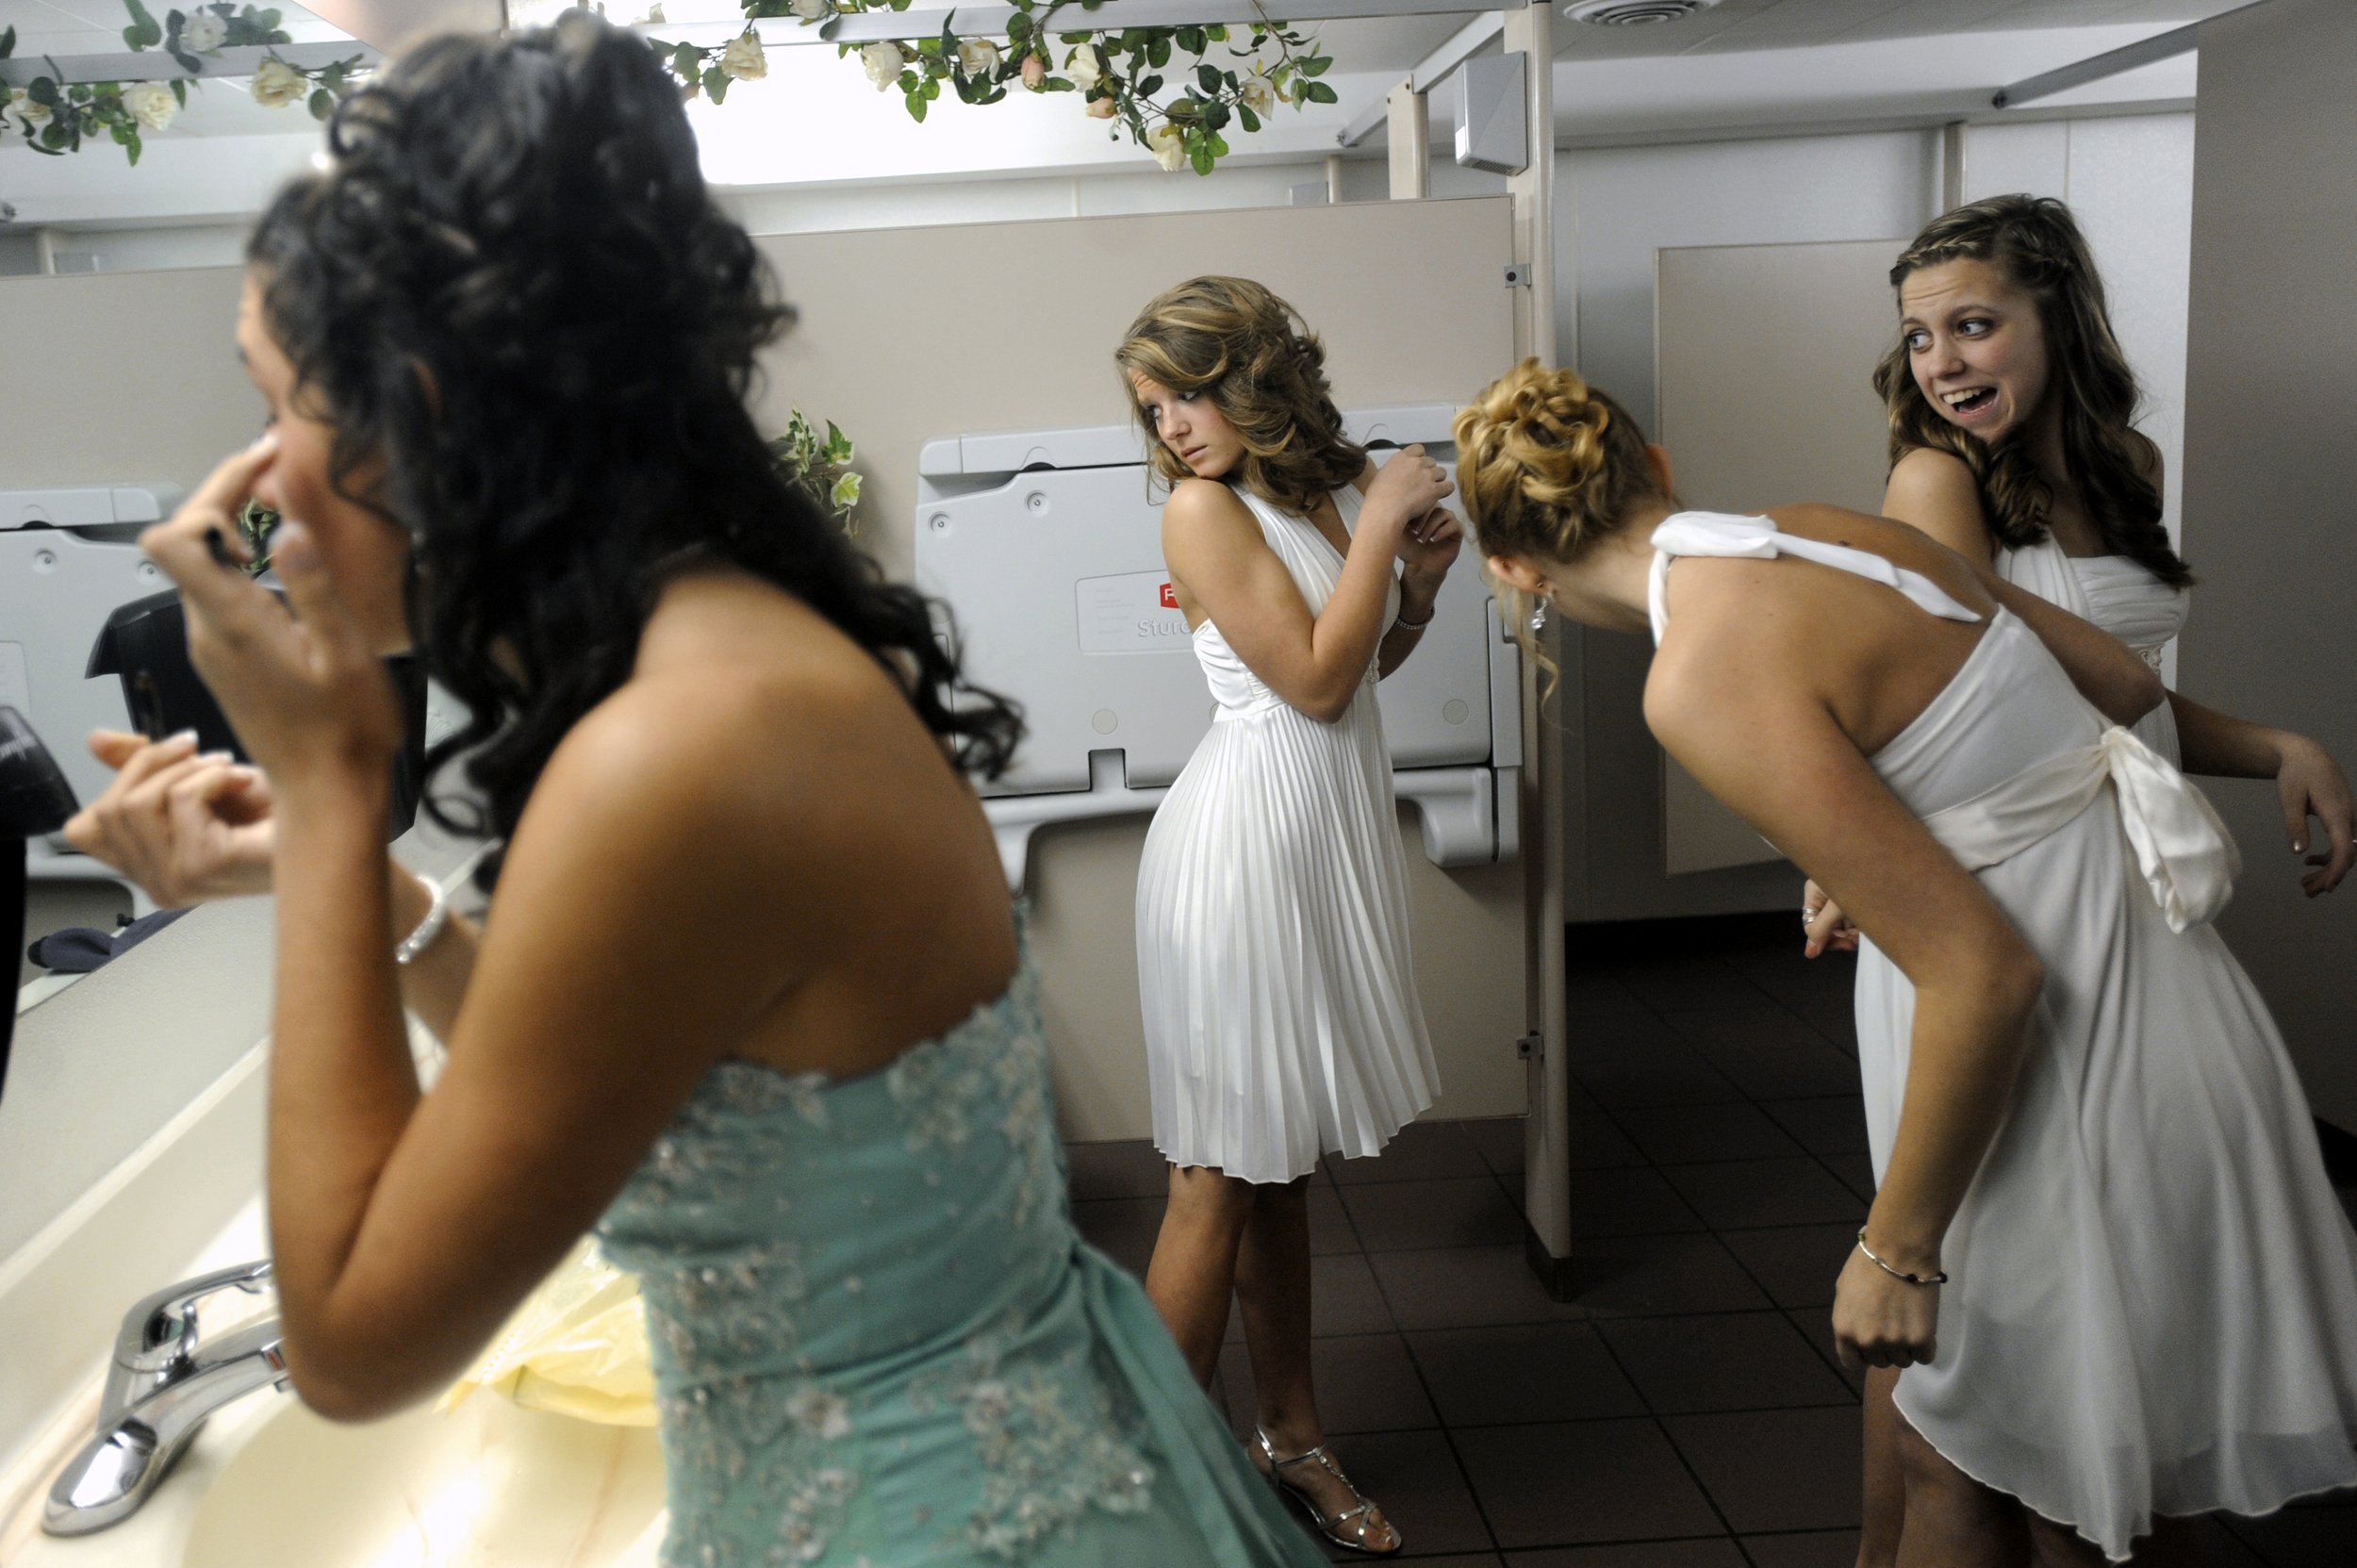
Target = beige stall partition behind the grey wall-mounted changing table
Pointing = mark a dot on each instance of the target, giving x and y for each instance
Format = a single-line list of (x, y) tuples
[(909, 336)]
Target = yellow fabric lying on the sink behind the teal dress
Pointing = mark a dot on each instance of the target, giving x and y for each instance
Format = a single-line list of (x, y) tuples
[(576, 1348)]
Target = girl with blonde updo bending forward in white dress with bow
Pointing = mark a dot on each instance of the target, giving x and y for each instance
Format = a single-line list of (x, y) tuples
[(2104, 1256)]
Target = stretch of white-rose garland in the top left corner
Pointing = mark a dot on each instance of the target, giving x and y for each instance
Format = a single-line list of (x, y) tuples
[(55, 119)]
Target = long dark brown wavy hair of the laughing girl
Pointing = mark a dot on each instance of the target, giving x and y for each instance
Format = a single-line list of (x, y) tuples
[(2038, 244)]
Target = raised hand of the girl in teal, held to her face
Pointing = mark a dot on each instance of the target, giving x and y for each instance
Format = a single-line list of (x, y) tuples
[(305, 692)]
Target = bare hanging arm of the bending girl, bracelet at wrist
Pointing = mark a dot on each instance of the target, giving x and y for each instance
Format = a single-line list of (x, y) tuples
[(1752, 727)]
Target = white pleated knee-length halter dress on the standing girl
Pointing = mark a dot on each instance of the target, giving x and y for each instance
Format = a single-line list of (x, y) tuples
[(1274, 958)]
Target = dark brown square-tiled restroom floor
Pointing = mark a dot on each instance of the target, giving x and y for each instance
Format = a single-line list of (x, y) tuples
[(1684, 1411)]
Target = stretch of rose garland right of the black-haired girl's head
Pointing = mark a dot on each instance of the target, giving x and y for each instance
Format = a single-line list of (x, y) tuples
[(1121, 74)]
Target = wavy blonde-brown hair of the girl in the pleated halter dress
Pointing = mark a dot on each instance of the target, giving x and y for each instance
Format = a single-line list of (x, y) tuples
[(1262, 369)]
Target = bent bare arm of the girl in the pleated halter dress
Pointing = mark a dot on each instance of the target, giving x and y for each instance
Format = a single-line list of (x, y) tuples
[(1220, 560)]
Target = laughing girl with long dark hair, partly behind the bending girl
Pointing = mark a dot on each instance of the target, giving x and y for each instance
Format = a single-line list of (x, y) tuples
[(2012, 444)]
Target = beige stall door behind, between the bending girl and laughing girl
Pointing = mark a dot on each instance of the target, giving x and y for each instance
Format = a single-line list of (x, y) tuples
[(1764, 362)]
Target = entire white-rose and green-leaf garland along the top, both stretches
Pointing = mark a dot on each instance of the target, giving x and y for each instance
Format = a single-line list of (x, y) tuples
[(1133, 77)]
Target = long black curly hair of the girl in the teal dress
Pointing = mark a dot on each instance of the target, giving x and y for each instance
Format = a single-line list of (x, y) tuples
[(517, 296)]
